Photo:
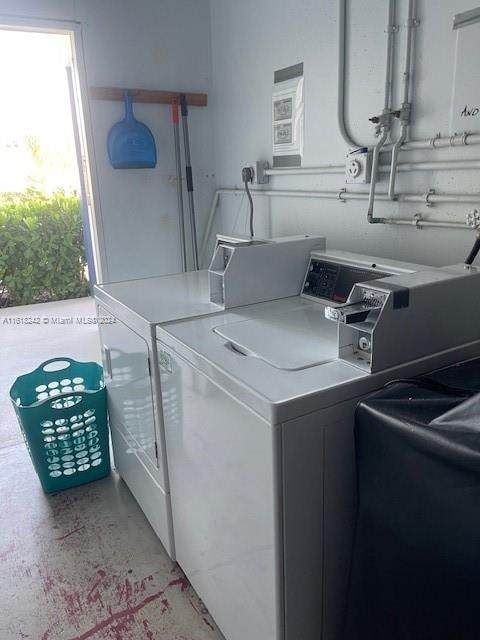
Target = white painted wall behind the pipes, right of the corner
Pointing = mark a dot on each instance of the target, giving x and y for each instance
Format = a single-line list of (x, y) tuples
[(252, 38)]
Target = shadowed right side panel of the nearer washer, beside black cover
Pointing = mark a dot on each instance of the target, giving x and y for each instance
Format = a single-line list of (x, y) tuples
[(319, 512)]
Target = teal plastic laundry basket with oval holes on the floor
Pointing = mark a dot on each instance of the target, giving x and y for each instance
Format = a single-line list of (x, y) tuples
[(62, 411)]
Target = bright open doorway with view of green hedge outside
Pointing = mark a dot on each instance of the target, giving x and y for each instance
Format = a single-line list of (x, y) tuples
[(46, 252)]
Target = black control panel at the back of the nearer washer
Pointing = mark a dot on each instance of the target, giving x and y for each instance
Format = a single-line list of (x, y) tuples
[(334, 281)]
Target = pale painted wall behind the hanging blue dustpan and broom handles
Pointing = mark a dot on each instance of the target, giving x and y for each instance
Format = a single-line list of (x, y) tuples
[(153, 44)]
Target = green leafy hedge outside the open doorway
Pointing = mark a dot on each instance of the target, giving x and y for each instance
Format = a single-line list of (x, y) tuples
[(42, 255)]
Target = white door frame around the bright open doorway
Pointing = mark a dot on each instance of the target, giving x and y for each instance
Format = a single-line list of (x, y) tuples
[(82, 121)]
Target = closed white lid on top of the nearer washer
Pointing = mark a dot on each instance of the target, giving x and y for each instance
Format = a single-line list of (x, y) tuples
[(292, 340)]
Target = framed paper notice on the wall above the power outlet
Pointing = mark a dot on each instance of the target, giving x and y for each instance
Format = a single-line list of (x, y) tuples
[(288, 116)]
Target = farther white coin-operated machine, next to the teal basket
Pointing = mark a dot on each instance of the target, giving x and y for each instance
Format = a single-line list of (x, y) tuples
[(128, 314)]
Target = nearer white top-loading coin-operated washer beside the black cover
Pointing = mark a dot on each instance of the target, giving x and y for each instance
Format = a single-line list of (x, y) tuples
[(259, 409)]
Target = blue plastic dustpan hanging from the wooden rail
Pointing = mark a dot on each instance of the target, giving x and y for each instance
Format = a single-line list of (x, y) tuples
[(130, 143)]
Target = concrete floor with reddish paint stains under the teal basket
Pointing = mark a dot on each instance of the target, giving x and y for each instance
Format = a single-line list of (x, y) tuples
[(83, 564)]
